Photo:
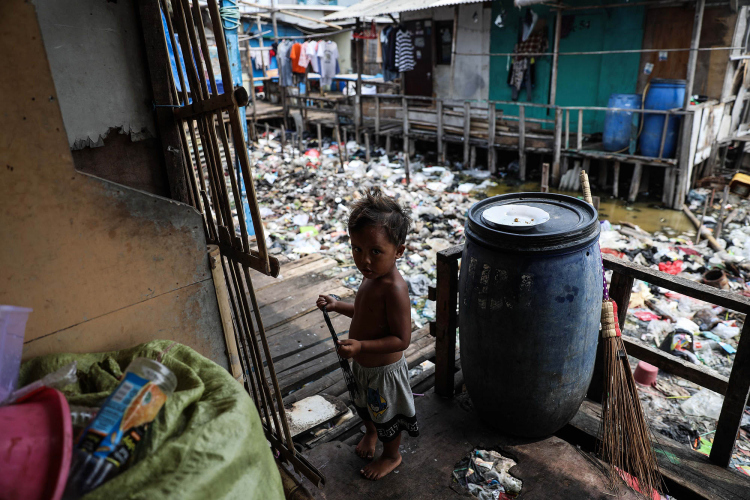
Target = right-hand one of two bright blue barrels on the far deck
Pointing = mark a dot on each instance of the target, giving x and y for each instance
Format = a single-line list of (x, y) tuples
[(662, 94)]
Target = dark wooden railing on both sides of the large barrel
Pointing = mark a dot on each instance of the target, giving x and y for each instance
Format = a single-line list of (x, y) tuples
[(735, 389)]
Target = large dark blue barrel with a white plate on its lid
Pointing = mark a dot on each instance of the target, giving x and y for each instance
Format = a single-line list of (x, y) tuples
[(530, 305)]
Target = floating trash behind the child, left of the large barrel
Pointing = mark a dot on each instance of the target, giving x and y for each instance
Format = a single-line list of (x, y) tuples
[(305, 198)]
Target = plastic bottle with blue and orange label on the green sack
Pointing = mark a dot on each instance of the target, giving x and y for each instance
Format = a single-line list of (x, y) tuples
[(107, 445)]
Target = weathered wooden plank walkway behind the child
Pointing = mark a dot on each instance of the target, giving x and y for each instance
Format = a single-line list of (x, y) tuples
[(300, 343)]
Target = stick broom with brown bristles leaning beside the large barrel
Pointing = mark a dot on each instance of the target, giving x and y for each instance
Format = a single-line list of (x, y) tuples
[(625, 436)]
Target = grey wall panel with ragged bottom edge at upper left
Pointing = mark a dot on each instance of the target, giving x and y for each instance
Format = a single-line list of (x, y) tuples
[(96, 55)]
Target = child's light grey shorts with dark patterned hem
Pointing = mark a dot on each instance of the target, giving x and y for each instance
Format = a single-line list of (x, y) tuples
[(385, 399)]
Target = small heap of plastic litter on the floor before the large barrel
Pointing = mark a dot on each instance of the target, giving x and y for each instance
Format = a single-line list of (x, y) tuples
[(485, 474)]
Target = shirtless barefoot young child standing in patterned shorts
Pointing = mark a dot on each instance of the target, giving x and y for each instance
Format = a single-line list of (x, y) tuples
[(380, 330)]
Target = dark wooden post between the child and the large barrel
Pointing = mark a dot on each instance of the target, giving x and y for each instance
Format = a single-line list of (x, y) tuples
[(445, 319)]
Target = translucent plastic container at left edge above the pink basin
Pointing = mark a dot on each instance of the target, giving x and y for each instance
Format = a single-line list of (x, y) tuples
[(12, 328)]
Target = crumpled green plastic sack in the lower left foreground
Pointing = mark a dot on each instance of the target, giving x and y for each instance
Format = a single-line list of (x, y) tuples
[(207, 441)]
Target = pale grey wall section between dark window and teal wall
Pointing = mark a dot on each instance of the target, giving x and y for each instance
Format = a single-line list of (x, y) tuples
[(470, 73)]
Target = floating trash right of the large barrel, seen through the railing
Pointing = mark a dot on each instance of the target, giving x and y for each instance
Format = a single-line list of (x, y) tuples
[(694, 330)]
